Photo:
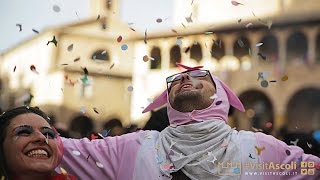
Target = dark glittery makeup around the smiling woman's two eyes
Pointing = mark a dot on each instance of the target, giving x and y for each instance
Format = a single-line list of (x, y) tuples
[(26, 130)]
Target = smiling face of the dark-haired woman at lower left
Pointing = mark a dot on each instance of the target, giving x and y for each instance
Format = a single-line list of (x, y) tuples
[(29, 145)]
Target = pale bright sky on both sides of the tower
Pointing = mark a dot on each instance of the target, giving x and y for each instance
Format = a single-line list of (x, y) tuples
[(41, 14)]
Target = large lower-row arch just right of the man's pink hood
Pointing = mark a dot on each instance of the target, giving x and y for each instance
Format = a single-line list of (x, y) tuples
[(259, 111)]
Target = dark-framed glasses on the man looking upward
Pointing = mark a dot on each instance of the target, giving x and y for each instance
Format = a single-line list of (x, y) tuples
[(174, 79)]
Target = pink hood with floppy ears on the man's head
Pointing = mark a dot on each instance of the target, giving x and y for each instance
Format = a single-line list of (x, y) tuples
[(217, 110)]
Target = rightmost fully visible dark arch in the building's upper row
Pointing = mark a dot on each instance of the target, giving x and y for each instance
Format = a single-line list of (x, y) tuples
[(297, 47)]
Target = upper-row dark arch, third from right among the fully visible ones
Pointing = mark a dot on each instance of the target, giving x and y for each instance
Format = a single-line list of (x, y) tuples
[(241, 47)]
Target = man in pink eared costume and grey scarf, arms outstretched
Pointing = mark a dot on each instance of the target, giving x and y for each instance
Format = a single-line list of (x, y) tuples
[(198, 144)]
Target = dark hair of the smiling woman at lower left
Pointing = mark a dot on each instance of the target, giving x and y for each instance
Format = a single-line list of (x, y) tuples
[(5, 120)]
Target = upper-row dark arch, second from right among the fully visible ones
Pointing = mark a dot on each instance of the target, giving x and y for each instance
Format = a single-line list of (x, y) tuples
[(269, 48)]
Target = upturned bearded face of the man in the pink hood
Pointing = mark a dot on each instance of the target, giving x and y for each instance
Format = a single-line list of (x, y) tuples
[(190, 93)]
